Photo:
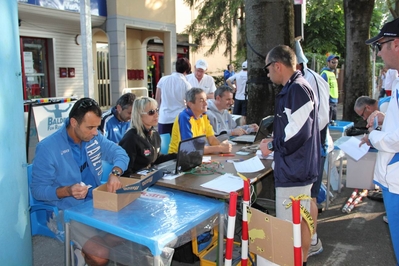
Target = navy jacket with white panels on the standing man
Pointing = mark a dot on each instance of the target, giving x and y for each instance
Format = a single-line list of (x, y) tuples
[(296, 134)]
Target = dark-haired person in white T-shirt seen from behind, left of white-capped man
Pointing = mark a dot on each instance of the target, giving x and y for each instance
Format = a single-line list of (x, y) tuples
[(170, 94)]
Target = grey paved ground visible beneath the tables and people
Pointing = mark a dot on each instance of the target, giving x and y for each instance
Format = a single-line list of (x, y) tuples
[(358, 238)]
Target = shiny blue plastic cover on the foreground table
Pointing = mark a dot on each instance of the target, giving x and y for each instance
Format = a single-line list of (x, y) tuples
[(153, 220)]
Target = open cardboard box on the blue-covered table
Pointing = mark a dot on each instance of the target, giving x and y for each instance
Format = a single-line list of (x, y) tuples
[(131, 190)]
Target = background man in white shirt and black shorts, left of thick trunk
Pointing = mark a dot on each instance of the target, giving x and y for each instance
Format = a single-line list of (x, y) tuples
[(240, 103)]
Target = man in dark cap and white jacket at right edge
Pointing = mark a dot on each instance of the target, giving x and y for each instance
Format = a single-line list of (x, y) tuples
[(386, 138)]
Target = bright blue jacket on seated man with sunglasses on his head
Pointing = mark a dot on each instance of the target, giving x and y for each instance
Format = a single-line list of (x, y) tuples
[(54, 165)]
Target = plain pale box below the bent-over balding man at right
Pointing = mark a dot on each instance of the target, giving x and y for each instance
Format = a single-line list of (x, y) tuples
[(360, 174)]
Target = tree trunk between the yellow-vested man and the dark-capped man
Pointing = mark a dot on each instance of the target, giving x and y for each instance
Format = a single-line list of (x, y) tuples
[(357, 72)]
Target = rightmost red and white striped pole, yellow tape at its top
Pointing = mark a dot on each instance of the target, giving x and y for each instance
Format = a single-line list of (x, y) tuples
[(296, 219)]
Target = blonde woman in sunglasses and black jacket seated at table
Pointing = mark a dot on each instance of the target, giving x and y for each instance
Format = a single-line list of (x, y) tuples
[(142, 142)]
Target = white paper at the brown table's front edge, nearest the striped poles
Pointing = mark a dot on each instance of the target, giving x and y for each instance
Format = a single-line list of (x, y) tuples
[(226, 183)]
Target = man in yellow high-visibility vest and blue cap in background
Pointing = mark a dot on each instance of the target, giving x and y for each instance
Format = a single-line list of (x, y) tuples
[(328, 74)]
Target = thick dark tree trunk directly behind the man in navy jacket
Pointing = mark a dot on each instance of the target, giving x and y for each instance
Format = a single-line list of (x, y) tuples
[(268, 23)]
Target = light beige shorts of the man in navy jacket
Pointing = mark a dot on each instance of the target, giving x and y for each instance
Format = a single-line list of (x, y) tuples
[(283, 198)]
